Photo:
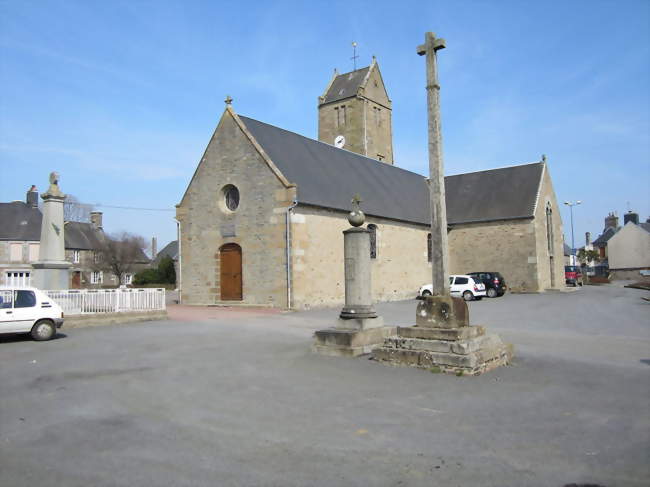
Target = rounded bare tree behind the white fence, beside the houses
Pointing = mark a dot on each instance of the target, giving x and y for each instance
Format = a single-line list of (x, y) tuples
[(122, 253)]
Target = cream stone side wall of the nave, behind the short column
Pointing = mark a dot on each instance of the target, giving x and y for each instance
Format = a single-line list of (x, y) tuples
[(400, 268)]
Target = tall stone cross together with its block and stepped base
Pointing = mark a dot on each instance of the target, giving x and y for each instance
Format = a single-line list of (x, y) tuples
[(442, 338)]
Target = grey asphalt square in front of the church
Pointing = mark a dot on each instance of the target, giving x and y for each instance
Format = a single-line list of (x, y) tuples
[(235, 398)]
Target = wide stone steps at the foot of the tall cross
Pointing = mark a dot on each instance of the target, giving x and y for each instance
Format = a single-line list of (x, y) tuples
[(464, 350)]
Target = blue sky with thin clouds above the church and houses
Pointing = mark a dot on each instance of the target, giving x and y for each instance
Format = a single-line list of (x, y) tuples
[(121, 98)]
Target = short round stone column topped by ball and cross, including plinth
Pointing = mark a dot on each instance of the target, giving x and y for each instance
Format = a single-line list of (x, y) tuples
[(358, 329)]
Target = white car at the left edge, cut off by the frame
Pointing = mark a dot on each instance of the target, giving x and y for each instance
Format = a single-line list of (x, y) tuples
[(29, 310)]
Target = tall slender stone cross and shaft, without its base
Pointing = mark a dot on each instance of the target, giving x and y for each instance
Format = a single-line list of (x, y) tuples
[(439, 246)]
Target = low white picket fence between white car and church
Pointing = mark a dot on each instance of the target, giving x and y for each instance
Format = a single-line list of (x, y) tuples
[(84, 301)]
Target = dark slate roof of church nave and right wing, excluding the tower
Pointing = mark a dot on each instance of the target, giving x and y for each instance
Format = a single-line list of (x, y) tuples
[(329, 177)]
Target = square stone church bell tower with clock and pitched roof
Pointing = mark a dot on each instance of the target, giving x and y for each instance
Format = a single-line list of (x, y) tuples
[(355, 112)]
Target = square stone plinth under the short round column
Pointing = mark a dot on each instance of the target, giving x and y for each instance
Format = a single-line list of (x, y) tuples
[(337, 342)]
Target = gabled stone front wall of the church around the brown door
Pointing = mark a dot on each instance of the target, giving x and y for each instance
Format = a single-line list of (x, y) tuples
[(257, 225)]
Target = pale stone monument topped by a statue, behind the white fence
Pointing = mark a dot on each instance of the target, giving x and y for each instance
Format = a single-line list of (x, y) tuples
[(51, 271)]
